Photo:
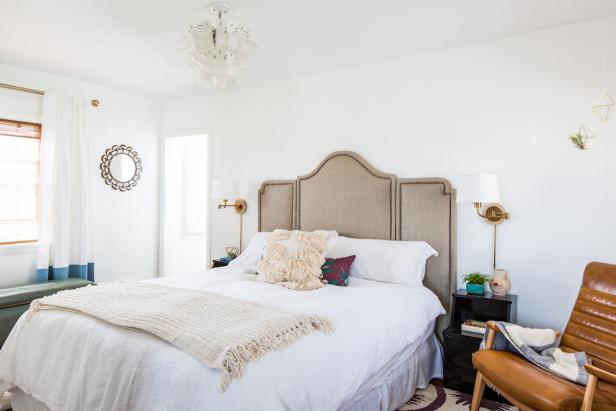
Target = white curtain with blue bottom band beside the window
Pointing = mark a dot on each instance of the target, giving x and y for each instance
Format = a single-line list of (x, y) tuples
[(65, 238)]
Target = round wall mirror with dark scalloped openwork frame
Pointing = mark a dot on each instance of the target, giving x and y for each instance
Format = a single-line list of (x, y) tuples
[(121, 167)]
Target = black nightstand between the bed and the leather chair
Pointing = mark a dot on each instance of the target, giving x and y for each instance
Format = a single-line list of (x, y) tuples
[(459, 346)]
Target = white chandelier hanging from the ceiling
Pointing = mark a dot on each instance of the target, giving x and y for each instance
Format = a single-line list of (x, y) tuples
[(219, 48)]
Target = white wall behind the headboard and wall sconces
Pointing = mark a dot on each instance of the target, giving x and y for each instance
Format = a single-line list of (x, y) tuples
[(504, 107)]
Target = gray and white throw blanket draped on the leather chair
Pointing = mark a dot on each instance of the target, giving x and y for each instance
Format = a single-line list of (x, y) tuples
[(538, 347)]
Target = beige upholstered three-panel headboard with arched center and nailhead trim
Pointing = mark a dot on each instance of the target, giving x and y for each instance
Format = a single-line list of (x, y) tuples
[(345, 193)]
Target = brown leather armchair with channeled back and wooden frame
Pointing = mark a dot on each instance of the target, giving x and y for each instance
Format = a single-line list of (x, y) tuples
[(591, 328)]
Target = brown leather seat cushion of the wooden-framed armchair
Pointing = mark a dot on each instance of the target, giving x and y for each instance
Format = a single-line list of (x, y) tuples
[(536, 388)]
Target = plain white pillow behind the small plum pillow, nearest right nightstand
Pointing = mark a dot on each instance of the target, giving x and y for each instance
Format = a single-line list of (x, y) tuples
[(398, 262)]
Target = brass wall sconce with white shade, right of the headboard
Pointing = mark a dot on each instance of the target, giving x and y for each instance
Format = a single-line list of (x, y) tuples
[(479, 189)]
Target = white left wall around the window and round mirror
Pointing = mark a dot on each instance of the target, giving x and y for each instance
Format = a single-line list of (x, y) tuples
[(125, 224)]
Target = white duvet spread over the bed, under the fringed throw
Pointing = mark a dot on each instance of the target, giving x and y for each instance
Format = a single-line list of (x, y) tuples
[(72, 362)]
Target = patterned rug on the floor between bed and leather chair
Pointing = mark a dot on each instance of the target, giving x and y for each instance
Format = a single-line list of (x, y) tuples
[(436, 397)]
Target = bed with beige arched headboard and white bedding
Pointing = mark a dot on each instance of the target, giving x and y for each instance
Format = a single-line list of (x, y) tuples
[(385, 344)]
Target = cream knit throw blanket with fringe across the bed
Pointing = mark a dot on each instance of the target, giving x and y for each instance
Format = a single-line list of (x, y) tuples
[(221, 332)]
